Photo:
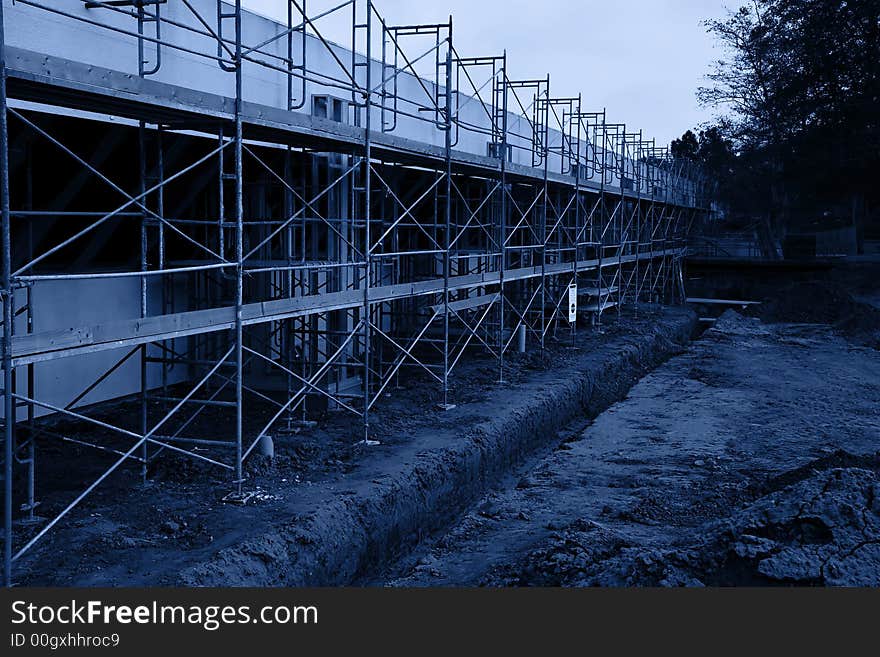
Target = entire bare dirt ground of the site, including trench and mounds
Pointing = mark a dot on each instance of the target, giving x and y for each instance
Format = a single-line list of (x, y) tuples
[(623, 456)]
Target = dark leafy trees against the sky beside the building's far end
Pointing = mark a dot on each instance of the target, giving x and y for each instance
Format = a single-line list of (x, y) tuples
[(797, 140)]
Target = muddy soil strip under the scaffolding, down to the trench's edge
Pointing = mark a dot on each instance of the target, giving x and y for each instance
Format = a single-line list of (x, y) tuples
[(323, 499)]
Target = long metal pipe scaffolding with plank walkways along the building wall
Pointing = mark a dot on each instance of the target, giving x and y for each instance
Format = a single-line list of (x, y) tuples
[(399, 207)]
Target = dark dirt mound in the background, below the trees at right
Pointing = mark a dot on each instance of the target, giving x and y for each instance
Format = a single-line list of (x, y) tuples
[(822, 302)]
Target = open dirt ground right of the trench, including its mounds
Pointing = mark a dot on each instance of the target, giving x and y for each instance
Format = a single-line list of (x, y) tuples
[(751, 459)]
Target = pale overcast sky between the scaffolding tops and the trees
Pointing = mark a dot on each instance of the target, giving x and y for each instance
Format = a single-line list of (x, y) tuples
[(640, 59)]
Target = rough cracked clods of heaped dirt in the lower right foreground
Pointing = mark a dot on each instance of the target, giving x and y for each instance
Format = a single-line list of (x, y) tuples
[(820, 527)]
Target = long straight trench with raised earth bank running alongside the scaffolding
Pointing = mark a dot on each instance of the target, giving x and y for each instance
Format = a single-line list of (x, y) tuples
[(390, 506)]
